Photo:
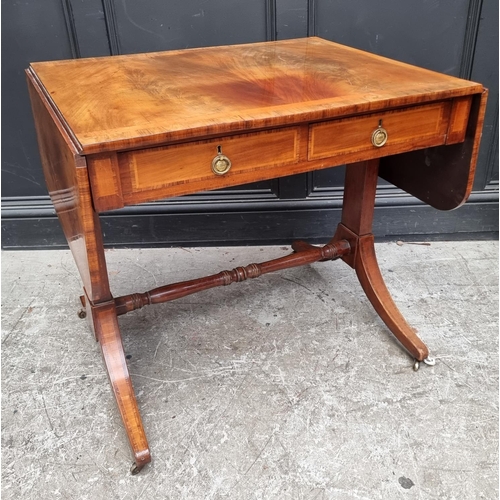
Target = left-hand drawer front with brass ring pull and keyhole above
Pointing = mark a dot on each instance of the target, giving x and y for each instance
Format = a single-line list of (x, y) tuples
[(183, 168)]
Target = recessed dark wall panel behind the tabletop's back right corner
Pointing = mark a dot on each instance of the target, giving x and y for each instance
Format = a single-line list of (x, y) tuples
[(428, 34)]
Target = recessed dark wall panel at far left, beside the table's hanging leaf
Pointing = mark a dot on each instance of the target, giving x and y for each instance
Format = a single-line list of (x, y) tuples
[(31, 31)]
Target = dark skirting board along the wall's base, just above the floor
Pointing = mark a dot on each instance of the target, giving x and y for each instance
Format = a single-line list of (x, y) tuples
[(279, 227)]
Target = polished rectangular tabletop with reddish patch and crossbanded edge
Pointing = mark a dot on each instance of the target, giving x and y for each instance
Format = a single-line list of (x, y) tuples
[(130, 101)]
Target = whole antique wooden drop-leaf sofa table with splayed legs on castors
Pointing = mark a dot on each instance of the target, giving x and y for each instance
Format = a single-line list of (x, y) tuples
[(121, 130)]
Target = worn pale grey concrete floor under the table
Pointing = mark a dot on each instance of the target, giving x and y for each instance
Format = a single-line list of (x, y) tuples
[(284, 387)]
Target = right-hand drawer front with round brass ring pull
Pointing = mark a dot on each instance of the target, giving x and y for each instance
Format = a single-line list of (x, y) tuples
[(407, 129)]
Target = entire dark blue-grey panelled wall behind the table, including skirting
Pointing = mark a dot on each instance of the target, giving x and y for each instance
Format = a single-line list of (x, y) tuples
[(459, 37)]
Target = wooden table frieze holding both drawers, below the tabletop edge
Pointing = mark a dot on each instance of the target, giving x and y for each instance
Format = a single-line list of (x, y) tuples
[(126, 178)]
